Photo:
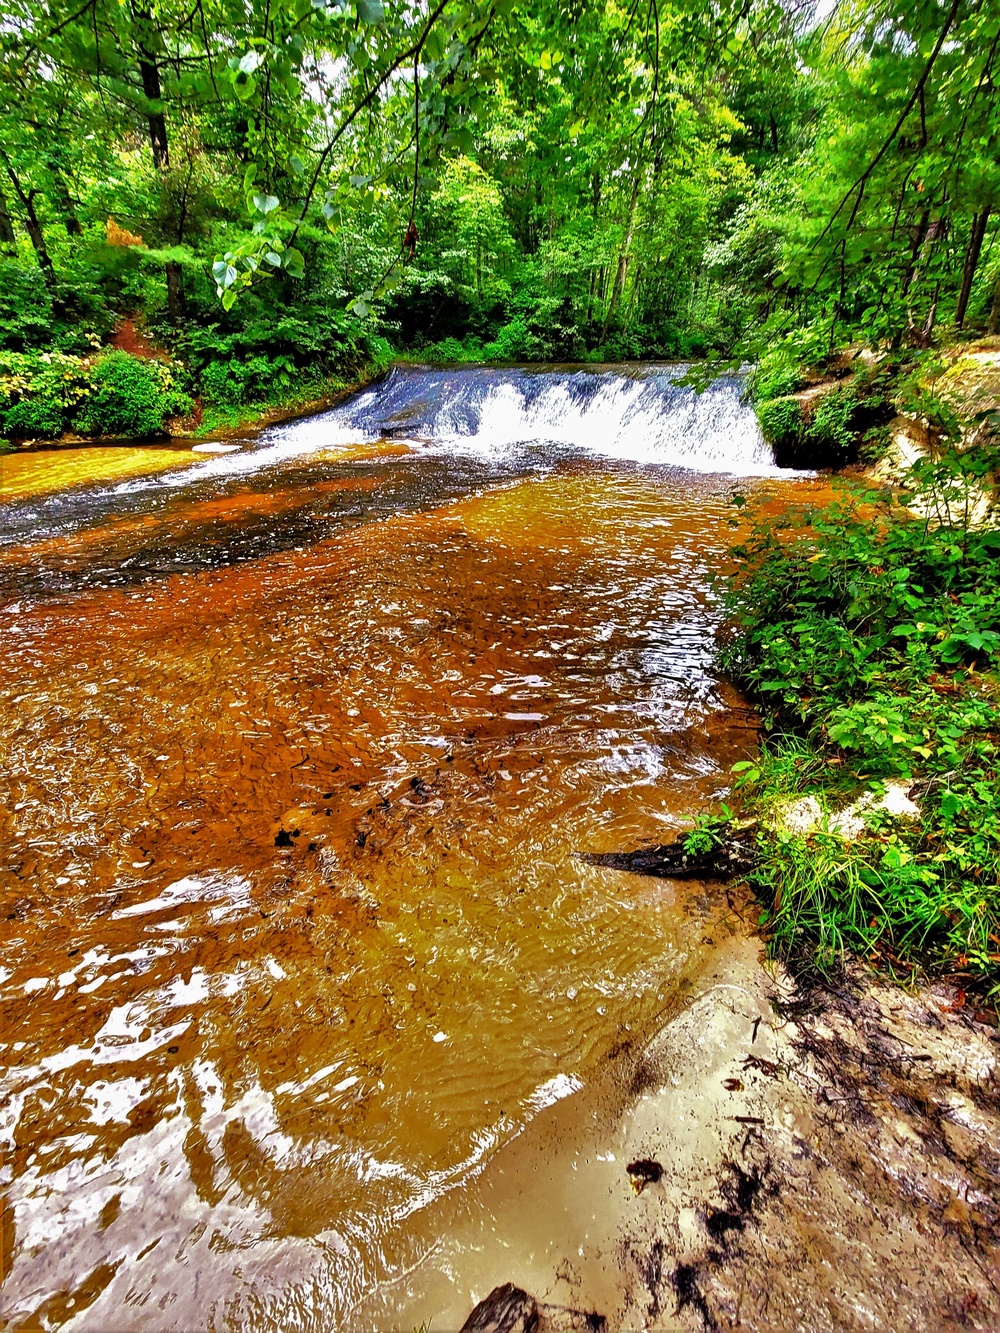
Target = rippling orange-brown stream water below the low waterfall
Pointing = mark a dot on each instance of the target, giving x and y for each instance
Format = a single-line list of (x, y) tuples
[(301, 750)]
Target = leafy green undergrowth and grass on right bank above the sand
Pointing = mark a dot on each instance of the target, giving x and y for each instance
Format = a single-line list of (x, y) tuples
[(871, 641)]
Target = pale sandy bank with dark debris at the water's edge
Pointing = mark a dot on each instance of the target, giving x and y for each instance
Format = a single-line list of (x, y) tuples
[(830, 1160)]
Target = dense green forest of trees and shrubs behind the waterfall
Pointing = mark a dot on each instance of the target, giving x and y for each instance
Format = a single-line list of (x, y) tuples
[(289, 191)]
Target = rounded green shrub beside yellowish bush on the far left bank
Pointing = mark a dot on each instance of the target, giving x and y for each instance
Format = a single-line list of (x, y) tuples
[(131, 398)]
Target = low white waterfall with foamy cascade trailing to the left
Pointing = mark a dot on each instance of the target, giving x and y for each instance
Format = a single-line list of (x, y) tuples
[(469, 426)]
